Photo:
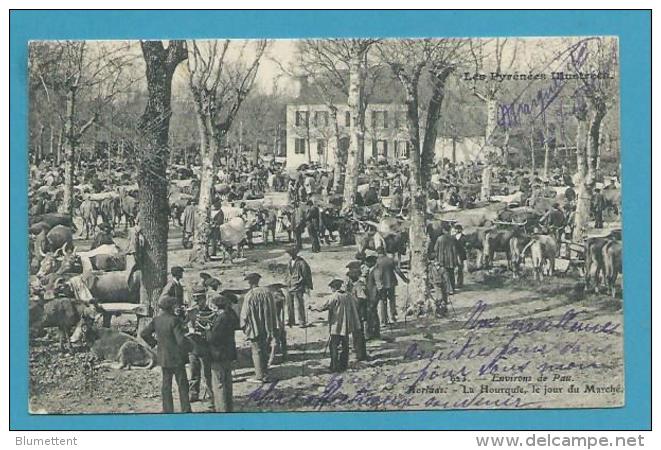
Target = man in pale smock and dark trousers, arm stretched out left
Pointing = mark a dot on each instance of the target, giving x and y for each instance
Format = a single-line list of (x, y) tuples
[(343, 320)]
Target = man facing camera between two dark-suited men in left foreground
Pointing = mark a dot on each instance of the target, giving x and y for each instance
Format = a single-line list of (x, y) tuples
[(199, 317)]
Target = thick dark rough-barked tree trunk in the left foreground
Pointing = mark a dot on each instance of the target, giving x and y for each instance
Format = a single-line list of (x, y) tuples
[(152, 180)]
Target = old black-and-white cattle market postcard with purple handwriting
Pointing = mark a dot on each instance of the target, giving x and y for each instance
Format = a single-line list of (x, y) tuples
[(324, 225)]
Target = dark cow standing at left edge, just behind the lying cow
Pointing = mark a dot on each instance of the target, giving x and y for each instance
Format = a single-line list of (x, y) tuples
[(63, 313)]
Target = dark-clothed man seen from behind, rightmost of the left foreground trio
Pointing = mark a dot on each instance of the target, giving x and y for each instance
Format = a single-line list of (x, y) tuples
[(222, 351)]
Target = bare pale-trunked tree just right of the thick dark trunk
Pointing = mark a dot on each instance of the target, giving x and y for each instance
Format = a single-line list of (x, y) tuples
[(219, 87)]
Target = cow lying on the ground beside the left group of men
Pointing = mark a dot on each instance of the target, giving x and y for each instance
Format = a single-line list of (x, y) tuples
[(108, 344)]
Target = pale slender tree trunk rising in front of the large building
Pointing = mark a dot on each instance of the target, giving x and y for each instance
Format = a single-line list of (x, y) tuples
[(356, 135)]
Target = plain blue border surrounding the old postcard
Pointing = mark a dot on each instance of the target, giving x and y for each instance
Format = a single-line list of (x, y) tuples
[(634, 31)]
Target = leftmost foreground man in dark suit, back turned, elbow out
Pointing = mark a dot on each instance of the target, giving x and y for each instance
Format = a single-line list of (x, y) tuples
[(172, 352)]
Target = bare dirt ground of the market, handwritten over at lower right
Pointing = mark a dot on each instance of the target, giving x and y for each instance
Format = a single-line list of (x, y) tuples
[(506, 344)]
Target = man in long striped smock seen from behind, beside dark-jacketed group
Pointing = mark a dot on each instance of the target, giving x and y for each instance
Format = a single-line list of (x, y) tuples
[(258, 321)]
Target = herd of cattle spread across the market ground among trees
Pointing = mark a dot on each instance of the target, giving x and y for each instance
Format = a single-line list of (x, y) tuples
[(59, 272)]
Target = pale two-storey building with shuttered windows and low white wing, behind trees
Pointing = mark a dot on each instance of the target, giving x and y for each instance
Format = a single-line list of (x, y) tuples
[(311, 133)]
